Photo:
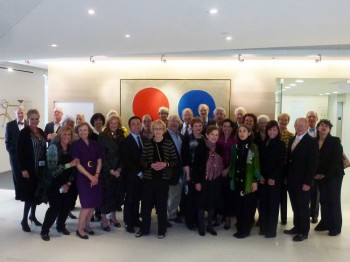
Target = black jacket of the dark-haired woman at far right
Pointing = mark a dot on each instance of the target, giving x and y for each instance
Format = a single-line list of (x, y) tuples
[(331, 158)]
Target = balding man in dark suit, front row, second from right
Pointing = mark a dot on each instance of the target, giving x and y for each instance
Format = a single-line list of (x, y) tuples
[(302, 164)]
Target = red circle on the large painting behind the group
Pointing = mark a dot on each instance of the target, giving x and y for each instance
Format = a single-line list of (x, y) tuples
[(148, 101)]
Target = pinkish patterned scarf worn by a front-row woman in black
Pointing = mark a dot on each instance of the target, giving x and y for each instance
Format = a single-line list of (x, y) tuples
[(214, 165)]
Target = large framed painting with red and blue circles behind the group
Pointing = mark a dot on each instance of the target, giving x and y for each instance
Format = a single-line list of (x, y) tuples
[(145, 96)]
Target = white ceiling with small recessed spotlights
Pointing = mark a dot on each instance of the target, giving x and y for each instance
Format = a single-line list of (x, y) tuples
[(265, 29)]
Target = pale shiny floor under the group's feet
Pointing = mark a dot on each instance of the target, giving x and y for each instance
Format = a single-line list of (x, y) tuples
[(179, 244)]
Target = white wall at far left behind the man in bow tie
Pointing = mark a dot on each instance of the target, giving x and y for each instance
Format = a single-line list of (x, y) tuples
[(19, 85)]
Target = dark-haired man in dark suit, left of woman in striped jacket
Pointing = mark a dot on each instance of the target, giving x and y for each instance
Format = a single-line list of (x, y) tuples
[(131, 148)]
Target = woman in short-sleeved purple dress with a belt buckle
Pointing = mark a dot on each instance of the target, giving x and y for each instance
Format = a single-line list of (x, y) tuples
[(88, 153)]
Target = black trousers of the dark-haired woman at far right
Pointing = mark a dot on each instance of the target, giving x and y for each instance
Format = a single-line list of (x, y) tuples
[(330, 199)]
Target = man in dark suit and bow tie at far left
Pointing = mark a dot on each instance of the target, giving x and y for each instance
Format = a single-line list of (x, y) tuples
[(12, 131)]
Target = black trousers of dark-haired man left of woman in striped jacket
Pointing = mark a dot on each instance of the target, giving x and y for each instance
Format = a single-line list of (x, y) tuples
[(132, 201)]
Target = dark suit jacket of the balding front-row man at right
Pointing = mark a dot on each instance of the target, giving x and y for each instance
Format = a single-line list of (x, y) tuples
[(303, 161)]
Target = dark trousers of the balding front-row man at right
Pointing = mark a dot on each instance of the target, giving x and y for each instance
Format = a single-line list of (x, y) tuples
[(300, 204)]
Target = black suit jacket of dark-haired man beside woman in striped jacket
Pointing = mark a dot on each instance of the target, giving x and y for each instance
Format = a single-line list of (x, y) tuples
[(130, 154)]
